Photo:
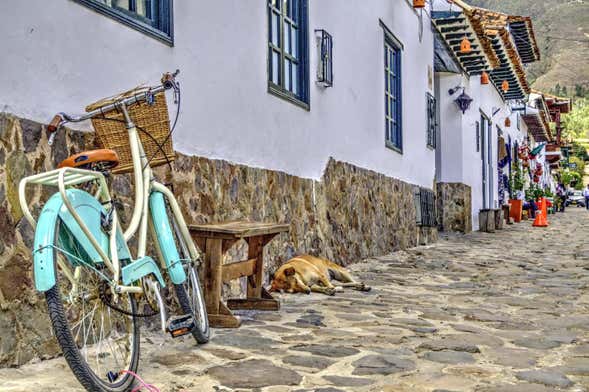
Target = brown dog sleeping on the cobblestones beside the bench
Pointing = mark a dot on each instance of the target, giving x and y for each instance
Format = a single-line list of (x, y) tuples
[(303, 274)]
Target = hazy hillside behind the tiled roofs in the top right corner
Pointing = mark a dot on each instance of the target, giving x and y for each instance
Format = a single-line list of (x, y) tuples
[(562, 31)]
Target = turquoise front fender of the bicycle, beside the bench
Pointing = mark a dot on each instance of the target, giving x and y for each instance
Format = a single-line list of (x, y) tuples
[(165, 238)]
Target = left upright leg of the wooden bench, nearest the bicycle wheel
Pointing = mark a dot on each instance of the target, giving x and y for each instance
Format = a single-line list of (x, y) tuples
[(214, 274)]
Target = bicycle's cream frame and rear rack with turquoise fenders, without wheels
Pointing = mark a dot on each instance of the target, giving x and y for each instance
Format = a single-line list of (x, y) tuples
[(69, 206)]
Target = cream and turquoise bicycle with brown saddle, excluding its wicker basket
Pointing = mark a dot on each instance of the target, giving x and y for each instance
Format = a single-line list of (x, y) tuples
[(82, 262)]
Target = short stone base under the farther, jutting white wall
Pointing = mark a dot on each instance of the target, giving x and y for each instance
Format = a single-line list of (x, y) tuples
[(454, 206)]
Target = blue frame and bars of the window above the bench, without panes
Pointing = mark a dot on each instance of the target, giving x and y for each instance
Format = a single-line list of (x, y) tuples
[(302, 100)]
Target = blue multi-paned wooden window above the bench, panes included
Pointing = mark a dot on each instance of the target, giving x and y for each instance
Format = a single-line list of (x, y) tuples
[(288, 70)]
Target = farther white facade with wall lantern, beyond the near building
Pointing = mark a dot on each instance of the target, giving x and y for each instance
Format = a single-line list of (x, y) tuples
[(459, 160)]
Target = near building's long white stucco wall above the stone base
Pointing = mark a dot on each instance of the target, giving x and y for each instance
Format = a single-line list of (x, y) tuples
[(62, 56)]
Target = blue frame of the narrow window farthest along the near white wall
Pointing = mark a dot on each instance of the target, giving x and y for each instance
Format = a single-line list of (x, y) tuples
[(390, 41)]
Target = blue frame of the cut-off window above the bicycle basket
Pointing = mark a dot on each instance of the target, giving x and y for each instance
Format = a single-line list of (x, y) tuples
[(136, 23)]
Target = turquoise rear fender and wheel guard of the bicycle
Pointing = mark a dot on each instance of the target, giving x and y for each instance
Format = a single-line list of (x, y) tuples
[(90, 211)]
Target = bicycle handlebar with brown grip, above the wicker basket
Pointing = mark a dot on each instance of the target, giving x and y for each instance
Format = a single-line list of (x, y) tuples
[(168, 82)]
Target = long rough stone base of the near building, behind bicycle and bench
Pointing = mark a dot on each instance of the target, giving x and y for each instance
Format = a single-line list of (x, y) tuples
[(351, 214)]
